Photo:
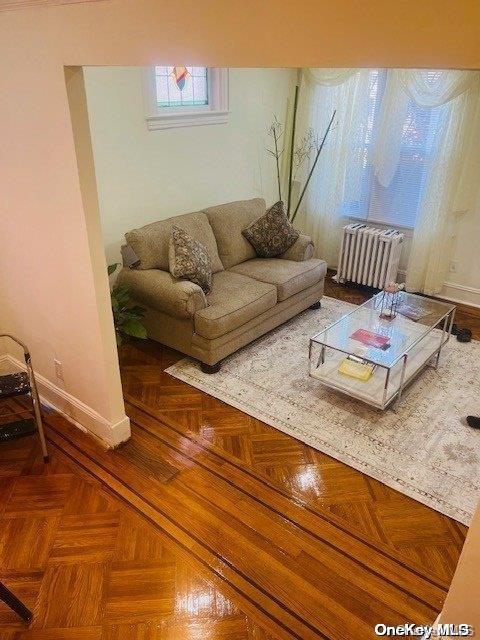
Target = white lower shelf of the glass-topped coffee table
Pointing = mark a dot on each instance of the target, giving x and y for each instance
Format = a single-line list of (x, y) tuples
[(372, 391)]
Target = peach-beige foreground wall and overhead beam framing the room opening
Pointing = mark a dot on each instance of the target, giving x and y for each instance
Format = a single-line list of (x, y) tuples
[(48, 283)]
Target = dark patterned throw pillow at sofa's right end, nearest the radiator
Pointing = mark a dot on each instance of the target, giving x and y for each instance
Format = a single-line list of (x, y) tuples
[(272, 234)]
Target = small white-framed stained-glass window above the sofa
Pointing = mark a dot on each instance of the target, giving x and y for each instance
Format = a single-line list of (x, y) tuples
[(180, 96)]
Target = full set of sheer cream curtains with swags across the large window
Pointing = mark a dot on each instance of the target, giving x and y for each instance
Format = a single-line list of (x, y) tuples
[(453, 176)]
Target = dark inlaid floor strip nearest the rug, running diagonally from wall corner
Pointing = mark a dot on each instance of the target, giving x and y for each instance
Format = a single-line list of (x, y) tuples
[(206, 445)]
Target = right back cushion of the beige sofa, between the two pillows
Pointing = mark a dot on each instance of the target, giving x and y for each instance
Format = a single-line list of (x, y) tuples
[(228, 221)]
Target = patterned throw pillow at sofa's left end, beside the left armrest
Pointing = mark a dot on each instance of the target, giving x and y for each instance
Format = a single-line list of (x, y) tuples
[(188, 259)]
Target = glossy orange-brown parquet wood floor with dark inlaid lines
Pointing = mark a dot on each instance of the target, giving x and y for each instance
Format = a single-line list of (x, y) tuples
[(227, 527)]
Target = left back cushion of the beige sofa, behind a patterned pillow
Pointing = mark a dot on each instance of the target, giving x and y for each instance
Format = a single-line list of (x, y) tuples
[(151, 242)]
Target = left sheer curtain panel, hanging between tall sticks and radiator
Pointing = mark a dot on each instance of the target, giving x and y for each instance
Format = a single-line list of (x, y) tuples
[(321, 92)]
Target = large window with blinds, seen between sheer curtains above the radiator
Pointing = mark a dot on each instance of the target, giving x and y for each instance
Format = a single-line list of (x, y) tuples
[(397, 204)]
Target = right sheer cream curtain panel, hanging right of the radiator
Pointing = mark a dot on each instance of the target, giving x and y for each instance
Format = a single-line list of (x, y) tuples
[(452, 188)]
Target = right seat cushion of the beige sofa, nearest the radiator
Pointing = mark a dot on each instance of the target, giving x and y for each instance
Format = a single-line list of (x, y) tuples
[(288, 276)]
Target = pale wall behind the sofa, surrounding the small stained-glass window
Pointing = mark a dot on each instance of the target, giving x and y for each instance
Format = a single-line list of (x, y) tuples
[(149, 175)]
